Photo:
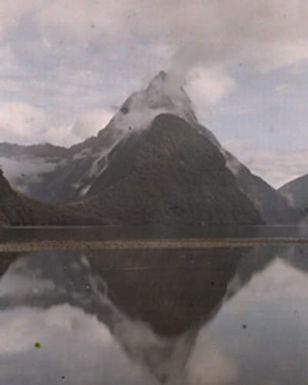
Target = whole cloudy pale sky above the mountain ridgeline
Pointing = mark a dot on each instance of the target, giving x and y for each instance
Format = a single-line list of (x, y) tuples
[(67, 64)]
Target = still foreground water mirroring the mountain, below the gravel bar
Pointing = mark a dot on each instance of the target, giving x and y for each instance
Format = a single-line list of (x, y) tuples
[(214, 316)]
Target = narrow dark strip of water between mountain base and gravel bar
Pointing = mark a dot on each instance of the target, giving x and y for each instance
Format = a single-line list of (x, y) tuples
[(92, 233)]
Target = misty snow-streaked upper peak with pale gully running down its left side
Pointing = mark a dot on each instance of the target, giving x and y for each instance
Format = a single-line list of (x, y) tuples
[(164, 94)]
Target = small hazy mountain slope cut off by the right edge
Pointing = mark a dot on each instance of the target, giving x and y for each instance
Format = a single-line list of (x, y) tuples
[(296, 192)]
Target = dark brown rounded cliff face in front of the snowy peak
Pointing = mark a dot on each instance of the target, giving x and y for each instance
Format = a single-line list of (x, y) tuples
[(168, 173)]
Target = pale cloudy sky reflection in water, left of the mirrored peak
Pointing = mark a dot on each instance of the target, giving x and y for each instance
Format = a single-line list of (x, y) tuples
[(61, 330)]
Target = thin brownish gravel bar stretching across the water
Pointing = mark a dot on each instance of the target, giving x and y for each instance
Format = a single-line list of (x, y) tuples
[(184, 243)]
